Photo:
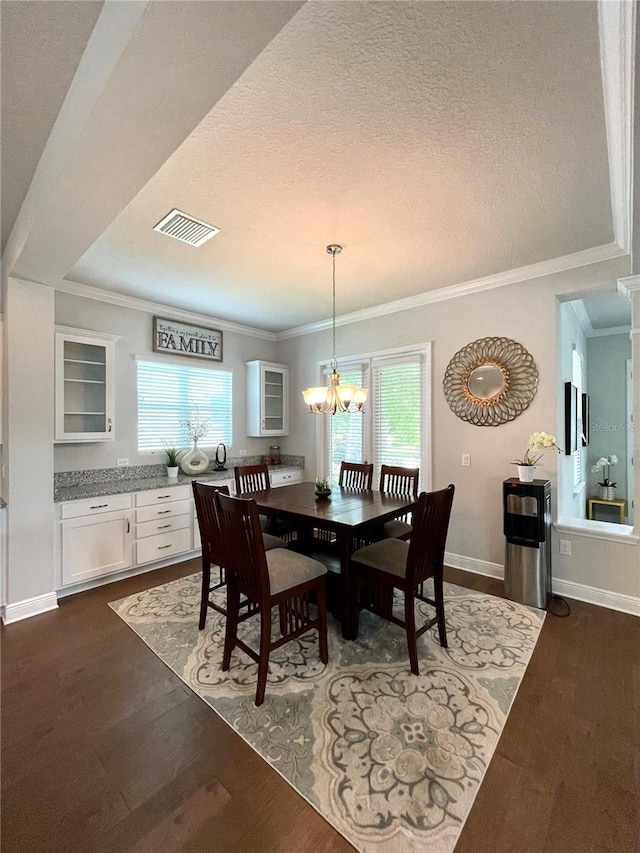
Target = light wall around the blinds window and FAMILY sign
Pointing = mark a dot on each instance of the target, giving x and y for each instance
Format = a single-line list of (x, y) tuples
[(135, 330)]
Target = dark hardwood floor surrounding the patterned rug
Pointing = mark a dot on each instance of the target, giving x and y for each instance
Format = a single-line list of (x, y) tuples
[(104, 749)]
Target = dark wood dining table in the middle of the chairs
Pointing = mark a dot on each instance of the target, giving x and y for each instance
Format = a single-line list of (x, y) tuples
[(350, 514)]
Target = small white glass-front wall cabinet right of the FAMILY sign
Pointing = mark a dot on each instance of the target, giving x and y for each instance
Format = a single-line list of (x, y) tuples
[(267, 398)]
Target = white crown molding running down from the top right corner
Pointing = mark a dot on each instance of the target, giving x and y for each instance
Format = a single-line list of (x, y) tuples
[(616, 28)]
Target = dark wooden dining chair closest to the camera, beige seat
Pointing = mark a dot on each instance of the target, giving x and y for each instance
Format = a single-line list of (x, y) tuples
[(266, 579)]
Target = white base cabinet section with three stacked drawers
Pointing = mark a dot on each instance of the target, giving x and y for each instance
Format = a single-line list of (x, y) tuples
[(163, 523)]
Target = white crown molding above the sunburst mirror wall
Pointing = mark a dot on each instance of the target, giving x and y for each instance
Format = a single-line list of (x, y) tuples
[(594, 255)]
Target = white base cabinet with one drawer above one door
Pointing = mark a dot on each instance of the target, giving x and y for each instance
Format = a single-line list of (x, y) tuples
[(96, 538)]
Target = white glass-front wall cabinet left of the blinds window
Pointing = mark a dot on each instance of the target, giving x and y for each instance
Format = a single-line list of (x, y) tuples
[(84, 408)]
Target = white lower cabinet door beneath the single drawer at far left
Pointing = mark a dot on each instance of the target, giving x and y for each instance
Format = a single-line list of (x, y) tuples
[(96, 545)]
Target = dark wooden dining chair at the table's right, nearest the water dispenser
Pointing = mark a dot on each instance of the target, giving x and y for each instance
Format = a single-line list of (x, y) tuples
[(390, 564)]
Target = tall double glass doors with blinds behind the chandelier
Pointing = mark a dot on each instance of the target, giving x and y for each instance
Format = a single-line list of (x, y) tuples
[(393, 428)]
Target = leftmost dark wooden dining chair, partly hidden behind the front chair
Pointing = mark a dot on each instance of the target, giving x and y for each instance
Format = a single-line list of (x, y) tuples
[(211, 540)]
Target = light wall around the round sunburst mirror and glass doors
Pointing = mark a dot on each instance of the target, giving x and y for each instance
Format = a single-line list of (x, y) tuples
[(526, 312)]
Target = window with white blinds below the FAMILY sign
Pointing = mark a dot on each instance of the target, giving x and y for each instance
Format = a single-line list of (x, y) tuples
[(169, 393)]
